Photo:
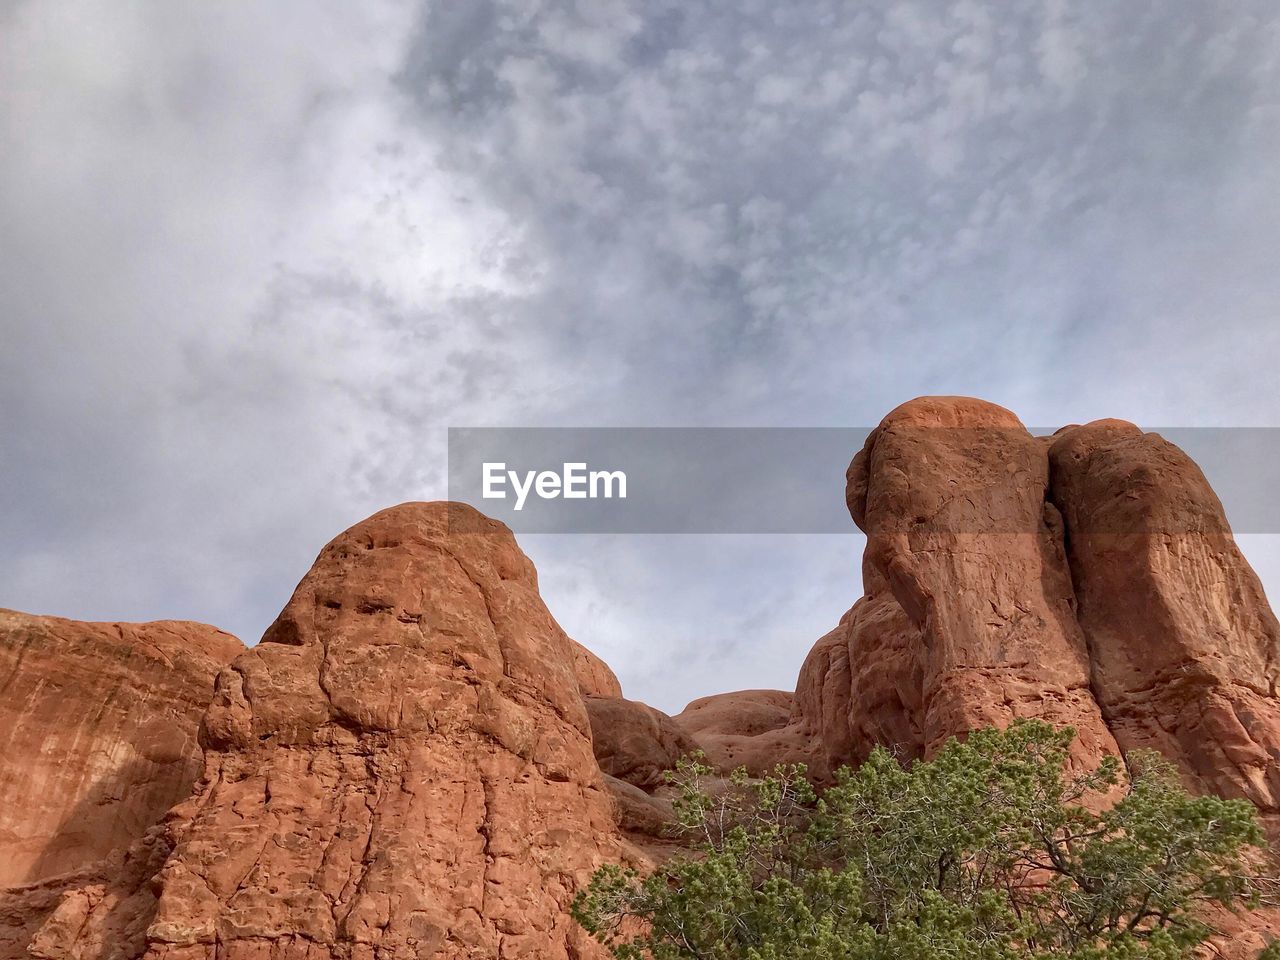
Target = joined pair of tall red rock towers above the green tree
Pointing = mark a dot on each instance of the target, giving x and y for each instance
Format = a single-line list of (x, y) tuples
[(1087, 579)]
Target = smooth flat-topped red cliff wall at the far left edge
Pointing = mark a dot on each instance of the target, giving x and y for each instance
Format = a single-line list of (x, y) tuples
[(98, 740)]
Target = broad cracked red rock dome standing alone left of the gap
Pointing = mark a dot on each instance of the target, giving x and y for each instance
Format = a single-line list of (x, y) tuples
[(403, 769)]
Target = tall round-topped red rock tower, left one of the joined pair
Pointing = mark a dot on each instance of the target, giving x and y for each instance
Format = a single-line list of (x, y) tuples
[(968, 619)]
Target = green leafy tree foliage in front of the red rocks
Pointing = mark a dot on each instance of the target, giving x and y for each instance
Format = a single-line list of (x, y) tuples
[(984, 853)]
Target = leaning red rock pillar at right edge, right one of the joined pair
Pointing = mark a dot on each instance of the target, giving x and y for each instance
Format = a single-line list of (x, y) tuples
[(1186, 651)]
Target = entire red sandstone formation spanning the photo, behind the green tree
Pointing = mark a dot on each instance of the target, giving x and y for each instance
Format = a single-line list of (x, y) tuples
[(417, 762)]
